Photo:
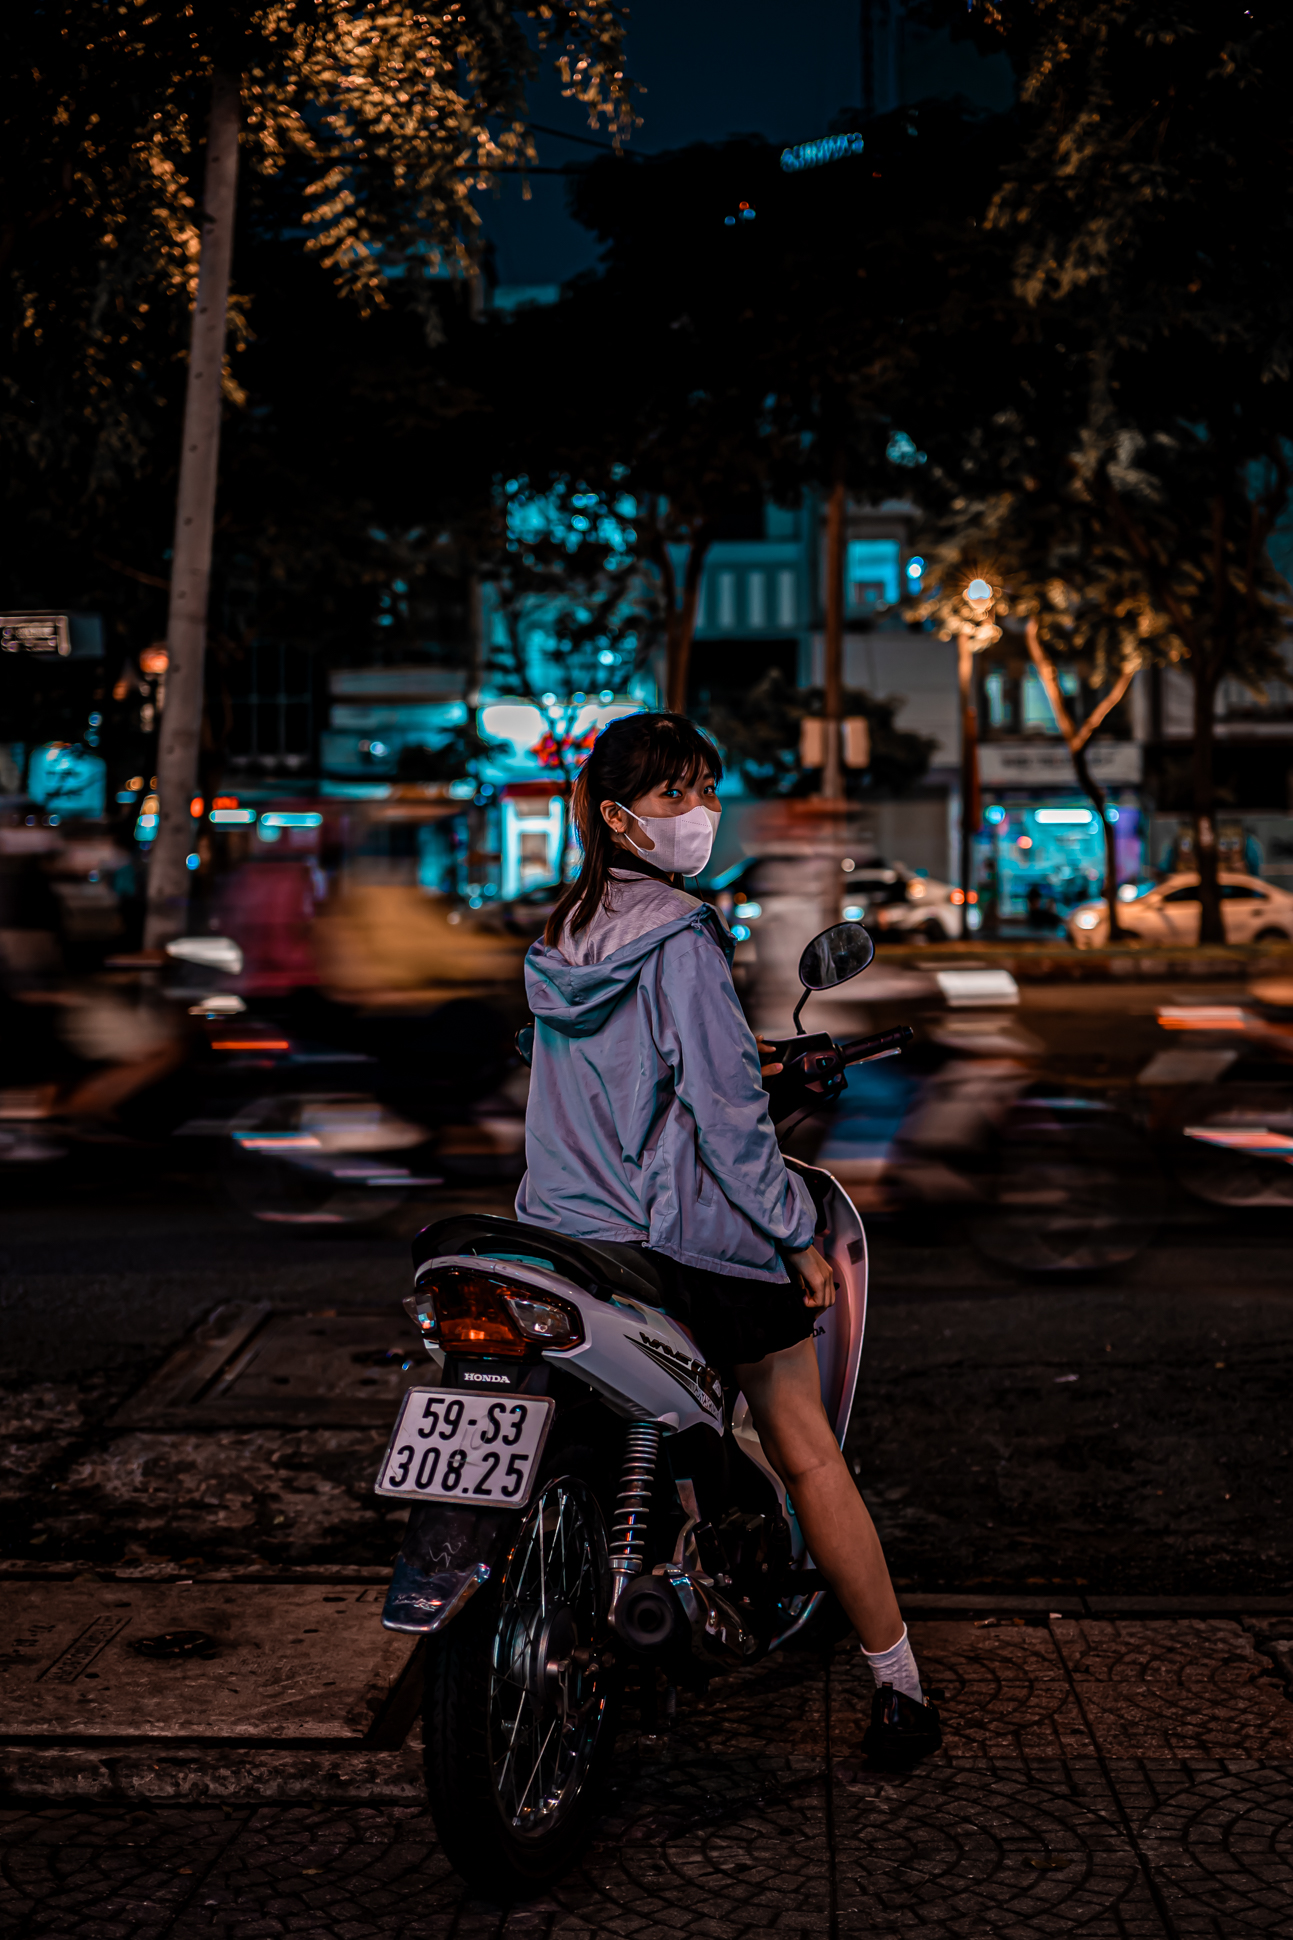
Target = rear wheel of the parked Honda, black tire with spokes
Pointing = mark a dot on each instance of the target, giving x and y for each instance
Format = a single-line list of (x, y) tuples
[(488, 1691)]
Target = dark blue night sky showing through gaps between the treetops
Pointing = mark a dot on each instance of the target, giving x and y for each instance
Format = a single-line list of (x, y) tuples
[(715, 69)]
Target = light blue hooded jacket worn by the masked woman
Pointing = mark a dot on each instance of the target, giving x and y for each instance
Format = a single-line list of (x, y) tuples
[(647, 1118)]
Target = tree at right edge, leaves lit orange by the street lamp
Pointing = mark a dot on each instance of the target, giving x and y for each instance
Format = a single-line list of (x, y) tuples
[(1127, 494)]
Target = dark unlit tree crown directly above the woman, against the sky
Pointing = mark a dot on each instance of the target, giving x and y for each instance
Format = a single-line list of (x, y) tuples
[(717, 364)]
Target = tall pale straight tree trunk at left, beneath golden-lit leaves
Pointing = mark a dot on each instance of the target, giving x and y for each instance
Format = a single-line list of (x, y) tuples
[(195, 523)]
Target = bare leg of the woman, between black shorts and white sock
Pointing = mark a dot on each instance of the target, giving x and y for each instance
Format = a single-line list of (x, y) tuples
[(785, 1402)]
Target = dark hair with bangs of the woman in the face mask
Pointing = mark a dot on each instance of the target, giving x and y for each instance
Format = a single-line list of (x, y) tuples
[(628, 760)]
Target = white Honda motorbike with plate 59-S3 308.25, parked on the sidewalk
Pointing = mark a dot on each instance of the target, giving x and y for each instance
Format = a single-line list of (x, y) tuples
[(583, 1501)]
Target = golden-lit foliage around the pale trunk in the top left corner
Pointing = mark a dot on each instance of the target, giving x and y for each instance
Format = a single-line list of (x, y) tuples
[(366, 137)]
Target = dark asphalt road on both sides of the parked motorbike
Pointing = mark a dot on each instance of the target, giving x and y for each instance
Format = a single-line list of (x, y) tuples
[(1129, 1433)]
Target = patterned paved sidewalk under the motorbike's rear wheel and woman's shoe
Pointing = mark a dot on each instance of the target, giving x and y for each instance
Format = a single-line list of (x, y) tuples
[(1104, 1780)]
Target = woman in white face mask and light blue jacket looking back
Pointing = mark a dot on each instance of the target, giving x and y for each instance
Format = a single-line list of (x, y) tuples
[(649, 1124)]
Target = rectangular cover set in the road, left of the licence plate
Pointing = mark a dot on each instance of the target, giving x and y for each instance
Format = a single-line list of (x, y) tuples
[(255, 1367)]
